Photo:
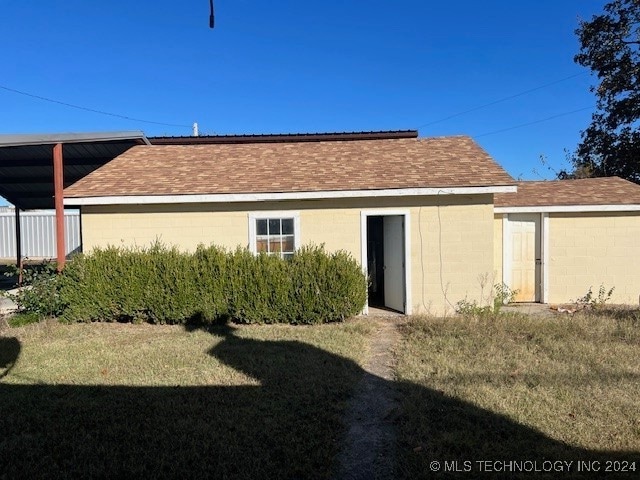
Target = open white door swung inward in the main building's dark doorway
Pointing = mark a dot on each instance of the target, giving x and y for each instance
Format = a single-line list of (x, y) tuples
[(393, 245)]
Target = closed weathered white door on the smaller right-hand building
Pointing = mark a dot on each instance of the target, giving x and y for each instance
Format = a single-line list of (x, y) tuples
[(525, 256)]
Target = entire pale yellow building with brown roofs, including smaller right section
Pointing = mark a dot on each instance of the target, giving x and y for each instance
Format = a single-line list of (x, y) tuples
[(430, 219)]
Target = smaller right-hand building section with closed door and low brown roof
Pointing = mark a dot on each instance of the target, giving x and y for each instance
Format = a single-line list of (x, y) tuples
[(556, 239)]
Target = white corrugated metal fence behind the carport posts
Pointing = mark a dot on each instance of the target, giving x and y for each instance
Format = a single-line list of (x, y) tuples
[(38, 231)]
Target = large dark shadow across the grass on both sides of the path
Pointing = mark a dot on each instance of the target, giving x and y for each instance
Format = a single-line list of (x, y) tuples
[(288, 426)]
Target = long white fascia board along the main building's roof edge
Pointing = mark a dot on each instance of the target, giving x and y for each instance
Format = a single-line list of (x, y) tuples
[(265, 197)]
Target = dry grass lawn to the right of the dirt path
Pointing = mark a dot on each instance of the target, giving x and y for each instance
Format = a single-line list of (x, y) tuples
[(519, 388)]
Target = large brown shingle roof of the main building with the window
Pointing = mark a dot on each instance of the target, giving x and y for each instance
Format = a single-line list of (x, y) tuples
[(294, 167)]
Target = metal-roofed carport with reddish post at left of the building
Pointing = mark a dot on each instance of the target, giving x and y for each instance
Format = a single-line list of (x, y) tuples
[(35, 169)]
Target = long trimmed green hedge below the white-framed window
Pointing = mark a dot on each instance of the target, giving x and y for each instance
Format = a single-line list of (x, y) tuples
[(163, 285)]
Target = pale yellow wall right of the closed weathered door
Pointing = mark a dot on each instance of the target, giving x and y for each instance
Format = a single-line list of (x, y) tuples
[(588, 250)]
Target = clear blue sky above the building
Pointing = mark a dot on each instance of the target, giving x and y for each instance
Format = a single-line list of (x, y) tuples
[(282, 66)]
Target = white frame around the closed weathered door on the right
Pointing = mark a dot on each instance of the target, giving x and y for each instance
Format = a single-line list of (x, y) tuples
[(542, 292)]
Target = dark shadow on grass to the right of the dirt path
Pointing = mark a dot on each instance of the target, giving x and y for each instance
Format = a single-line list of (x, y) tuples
[(438, 427)]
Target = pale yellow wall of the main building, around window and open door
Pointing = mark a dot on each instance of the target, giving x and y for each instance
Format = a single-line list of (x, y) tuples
[(452, 237)]
